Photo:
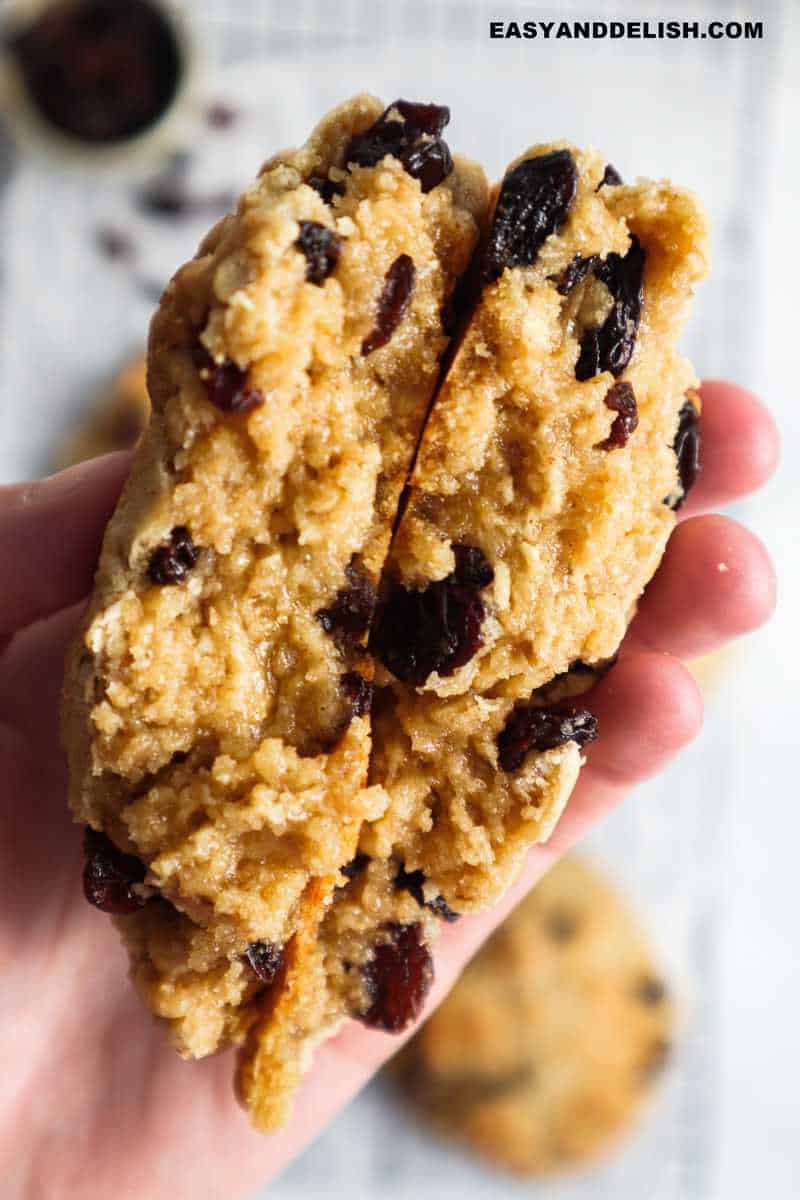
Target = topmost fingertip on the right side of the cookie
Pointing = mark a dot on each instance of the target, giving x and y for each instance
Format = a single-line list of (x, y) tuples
[(741, 447)]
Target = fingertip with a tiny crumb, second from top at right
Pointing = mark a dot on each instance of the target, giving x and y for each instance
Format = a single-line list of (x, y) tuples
[(715, 583)]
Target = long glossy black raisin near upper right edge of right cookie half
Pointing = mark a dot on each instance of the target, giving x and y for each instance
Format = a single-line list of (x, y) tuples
[(611, 346)]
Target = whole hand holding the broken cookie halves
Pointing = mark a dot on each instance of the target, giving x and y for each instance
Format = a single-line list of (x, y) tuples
[(94, 1102)]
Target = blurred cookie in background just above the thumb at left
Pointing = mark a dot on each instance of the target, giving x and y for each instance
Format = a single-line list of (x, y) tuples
[(116, 422)]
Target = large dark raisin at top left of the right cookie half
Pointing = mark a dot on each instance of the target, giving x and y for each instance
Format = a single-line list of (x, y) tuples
[(534, 202)]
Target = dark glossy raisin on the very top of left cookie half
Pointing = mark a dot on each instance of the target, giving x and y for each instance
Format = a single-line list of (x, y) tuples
[(412, 134)]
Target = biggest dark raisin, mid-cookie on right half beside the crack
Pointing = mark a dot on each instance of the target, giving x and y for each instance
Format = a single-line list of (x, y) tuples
[(437, 628)]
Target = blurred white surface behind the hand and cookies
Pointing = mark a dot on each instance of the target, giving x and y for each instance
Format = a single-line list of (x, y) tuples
[(708, 853)]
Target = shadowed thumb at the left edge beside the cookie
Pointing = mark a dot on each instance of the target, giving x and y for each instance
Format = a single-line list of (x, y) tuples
[(51, 532)]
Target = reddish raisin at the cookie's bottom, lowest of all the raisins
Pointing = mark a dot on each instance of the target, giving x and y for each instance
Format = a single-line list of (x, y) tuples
[(398, 979)]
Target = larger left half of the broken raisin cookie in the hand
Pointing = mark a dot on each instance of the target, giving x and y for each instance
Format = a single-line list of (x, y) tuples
[(218, 698)]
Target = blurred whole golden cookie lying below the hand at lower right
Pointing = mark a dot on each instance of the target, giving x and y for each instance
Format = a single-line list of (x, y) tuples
[(548, 1047)]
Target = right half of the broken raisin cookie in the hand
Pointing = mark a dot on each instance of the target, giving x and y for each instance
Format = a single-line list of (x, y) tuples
[(540, 507)]
